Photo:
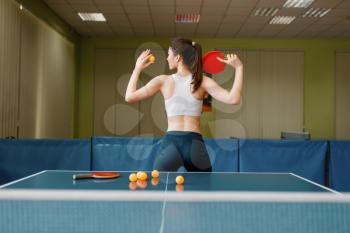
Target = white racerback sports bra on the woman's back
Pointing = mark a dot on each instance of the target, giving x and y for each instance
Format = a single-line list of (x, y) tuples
[(182, 102)]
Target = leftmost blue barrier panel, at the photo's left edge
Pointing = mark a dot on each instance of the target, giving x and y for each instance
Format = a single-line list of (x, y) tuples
[(20, 158)]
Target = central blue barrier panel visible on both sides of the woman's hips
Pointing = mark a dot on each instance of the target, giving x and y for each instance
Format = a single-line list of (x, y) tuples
[(139, 153)]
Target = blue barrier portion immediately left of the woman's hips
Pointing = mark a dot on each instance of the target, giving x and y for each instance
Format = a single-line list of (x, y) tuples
[(123, 153)]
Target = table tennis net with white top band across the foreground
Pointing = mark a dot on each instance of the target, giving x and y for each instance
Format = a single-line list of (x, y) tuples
[(193, 212)]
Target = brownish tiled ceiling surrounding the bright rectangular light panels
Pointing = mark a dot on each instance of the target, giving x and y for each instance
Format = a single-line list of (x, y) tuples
[(218, 18)]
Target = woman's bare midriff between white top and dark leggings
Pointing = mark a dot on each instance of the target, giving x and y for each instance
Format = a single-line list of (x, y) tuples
[(184, 123)]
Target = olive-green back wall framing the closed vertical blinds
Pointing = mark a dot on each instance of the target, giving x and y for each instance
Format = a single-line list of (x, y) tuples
[(319, 76)]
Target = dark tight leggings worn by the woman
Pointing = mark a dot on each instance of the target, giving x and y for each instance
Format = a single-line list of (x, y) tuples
[(182, 148)]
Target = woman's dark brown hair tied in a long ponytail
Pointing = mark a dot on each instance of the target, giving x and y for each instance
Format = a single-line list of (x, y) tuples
[(191, 53)]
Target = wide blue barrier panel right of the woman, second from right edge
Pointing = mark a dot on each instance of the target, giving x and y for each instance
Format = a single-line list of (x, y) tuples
[(304, 158)]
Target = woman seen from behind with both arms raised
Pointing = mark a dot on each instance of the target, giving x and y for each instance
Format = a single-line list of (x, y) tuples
[(183, 93)]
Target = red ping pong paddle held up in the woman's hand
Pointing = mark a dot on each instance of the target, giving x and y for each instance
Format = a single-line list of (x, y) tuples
[(211, 64)]
